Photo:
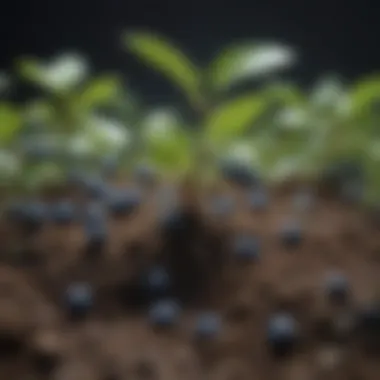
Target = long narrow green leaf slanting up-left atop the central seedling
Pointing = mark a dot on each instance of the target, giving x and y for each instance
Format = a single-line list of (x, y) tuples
[(161, 55)]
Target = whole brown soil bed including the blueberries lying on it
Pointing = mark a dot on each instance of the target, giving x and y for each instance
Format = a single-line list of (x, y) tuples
[(247, 265)]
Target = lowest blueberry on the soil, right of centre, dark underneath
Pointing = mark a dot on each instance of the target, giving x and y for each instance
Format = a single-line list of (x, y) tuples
[(282, 333)]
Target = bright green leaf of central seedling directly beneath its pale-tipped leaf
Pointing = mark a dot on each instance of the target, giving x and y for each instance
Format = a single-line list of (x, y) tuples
[(232, 119)]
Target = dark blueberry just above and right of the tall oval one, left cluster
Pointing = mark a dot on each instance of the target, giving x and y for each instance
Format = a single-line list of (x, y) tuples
[(123, 202)]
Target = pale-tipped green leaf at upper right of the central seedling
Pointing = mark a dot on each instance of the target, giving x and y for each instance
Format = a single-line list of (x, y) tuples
[(246, 61)]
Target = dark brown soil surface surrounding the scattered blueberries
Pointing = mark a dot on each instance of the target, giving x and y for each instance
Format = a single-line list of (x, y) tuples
[(37, 341)]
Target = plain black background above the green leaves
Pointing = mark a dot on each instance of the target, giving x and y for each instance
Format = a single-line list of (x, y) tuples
[(332, 36)]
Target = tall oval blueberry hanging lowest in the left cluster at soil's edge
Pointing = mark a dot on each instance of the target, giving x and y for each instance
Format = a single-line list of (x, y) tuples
[(95, 226)]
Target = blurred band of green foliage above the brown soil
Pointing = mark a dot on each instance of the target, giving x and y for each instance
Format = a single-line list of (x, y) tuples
[(279, 128)]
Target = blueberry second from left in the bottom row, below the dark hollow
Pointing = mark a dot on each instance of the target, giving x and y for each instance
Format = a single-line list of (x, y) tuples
[(164, 313)]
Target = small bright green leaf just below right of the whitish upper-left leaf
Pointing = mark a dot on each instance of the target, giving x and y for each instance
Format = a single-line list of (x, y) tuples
[(99, 92)]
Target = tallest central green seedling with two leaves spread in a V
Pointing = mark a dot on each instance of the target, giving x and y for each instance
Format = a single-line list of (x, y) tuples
[(222, 119)]
